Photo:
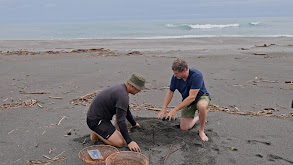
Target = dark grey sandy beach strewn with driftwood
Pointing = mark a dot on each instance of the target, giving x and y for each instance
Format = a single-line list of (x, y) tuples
[(249, 80)]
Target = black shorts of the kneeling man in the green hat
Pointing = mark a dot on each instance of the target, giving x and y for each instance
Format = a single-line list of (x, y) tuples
[(103, 128)]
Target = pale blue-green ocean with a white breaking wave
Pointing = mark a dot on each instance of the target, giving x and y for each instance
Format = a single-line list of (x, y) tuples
[(150, 29)]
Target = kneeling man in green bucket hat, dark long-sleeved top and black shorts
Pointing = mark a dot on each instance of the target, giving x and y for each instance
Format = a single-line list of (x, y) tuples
[(114, 101)]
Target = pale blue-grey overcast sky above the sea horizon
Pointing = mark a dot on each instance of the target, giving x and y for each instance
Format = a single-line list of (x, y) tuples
[(28, 11)]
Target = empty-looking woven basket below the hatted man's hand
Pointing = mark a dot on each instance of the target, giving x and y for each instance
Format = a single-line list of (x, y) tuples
[(127, 158)]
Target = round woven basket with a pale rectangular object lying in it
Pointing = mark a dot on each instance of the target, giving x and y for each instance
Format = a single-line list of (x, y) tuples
[(105, 151)]
